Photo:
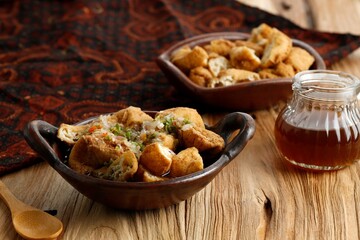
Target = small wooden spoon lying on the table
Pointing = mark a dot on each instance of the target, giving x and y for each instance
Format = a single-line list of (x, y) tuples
[(29, 222)]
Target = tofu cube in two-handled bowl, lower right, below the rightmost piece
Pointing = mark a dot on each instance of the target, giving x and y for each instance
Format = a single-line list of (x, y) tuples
[(185, 162)]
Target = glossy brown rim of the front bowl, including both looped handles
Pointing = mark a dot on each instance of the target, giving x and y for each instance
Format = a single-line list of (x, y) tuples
[(31, 134)]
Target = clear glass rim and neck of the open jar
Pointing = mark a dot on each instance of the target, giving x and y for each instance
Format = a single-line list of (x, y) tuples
[(326, 85)]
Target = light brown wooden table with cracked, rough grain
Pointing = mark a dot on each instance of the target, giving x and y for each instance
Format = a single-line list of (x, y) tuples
[(255, 197)]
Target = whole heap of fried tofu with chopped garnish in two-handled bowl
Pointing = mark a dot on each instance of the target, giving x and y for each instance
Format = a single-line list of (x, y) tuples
[(130, 145)]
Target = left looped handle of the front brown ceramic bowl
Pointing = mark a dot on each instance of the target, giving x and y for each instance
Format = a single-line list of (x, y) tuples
[(39, 135)]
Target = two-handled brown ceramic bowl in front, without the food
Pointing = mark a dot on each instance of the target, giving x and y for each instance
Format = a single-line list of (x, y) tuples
[(41, 136)]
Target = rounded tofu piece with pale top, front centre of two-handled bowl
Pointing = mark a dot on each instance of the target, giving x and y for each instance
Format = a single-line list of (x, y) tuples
[(156, 158)]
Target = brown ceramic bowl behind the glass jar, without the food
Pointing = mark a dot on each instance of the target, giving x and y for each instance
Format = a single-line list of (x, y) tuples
[(245, 96)]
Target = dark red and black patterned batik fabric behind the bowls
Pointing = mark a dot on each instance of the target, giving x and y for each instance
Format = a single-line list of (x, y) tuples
[(63, 61)]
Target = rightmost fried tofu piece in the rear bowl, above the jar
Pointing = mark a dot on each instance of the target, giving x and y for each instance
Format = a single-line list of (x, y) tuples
[(300, 59)]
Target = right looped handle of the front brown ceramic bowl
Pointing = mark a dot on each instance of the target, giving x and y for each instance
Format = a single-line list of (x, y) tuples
[(228, 125)]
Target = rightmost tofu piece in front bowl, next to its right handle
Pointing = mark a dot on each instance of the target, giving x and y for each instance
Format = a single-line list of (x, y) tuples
[(202, 139)]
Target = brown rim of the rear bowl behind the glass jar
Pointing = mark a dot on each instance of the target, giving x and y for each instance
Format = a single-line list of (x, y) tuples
[(164, 58)]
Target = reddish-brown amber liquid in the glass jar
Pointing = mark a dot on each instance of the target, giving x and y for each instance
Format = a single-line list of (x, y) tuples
[(318, 149)]
